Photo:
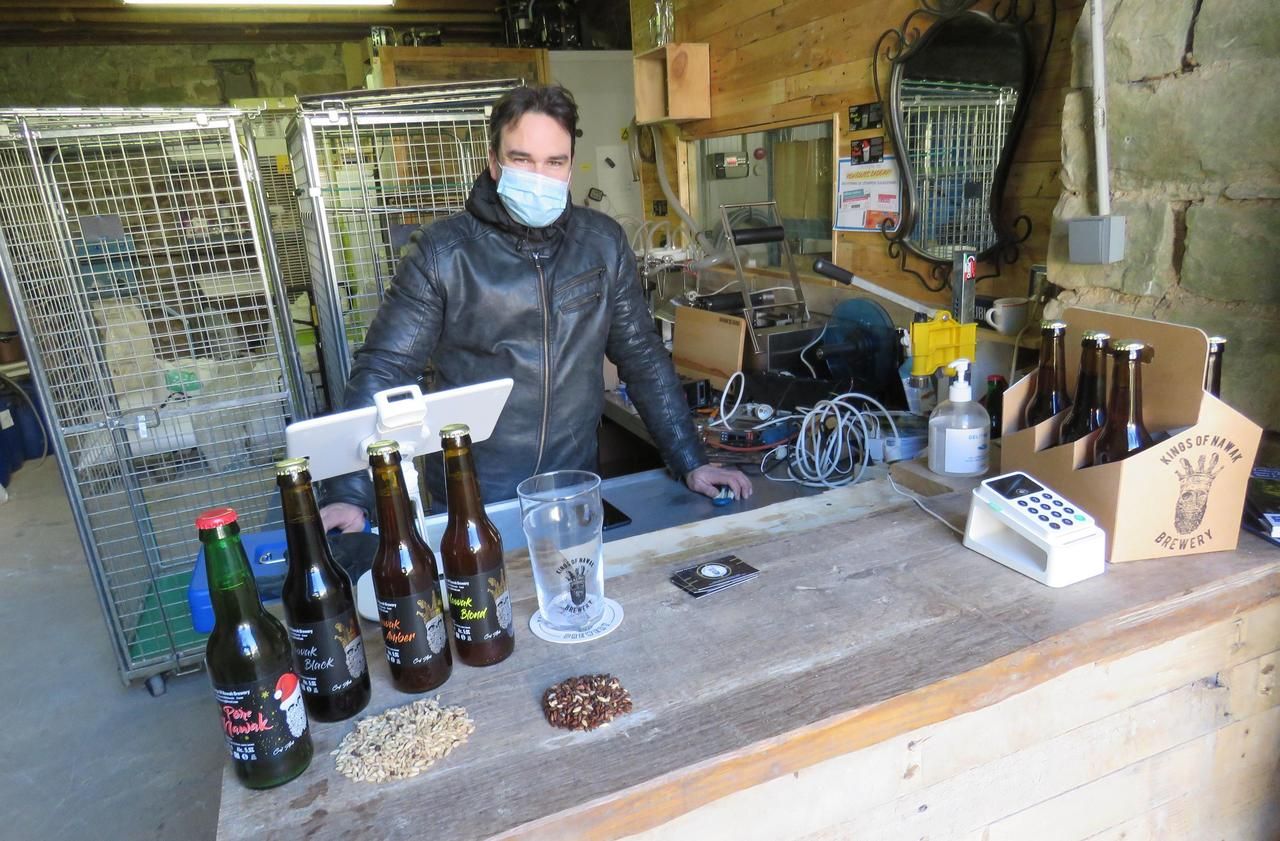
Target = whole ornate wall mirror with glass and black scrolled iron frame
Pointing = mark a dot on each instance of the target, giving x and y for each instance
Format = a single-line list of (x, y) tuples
[(958, 97)]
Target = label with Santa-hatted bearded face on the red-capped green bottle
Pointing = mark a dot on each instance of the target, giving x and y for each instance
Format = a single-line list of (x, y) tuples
[(264, 720)]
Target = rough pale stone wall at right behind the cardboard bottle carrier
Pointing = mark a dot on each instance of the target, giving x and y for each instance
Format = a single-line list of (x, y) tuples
[(1195, 120)]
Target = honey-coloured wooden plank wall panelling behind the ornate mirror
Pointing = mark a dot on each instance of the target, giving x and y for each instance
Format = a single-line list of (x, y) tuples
[(798, 60)]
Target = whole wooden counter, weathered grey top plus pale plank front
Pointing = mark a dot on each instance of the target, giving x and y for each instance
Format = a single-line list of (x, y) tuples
[(876, 682)]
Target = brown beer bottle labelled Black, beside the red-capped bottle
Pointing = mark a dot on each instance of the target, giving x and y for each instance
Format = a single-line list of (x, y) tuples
[(319, 610)]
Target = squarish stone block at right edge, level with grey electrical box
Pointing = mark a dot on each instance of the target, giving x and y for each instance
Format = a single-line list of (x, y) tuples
[(1233, 253)]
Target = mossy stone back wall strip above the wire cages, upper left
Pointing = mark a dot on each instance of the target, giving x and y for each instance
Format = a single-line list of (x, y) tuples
[(154, 75)]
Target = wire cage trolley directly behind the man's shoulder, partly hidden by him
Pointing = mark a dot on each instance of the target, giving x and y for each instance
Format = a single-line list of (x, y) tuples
[(372, 168)]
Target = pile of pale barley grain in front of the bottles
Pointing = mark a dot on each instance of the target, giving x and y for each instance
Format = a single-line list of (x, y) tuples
[(404, 742)]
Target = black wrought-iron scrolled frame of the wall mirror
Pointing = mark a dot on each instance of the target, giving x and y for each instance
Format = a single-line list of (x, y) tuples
[(902, 44)]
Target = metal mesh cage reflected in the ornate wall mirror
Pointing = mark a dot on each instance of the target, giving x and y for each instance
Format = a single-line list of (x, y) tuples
[(954, 135)]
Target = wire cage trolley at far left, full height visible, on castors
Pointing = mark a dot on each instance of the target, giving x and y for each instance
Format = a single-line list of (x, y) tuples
[(134, 249)]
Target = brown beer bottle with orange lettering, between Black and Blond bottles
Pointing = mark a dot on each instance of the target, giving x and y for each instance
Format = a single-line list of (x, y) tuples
[(410, 607)]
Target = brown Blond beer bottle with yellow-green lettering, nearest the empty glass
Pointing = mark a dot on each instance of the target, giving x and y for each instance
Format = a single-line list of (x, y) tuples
[(472, 550)]
